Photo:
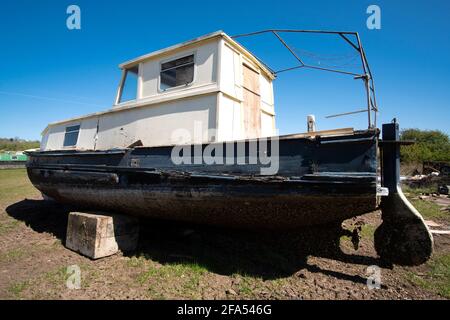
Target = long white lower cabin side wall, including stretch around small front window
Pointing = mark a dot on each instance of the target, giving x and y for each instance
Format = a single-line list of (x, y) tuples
[(154, 125)]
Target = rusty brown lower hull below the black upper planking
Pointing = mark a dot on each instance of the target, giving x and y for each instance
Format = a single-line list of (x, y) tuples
[(210, 205)]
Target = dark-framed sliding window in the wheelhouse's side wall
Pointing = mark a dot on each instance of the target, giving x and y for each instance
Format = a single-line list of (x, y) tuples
[(177, 72)]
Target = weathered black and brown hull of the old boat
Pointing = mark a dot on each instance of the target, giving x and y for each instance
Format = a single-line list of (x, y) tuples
[(319, 181)]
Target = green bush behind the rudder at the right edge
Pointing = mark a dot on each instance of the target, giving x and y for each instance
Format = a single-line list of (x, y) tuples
[(431, 145)]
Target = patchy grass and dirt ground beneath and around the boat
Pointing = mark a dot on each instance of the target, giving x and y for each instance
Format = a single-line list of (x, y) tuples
[(181, 261)]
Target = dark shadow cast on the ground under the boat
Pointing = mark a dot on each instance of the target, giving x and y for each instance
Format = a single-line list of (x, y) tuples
[(268, 255)]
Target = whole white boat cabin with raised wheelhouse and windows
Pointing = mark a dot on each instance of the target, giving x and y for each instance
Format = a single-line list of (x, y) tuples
[(209, 89)]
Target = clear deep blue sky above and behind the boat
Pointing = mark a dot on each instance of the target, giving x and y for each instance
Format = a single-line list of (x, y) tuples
[(49, 73)]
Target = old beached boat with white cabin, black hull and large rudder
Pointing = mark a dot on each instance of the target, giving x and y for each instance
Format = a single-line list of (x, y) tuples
[(191, 137)]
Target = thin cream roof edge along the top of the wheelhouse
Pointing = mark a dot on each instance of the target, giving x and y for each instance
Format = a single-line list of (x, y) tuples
[(216, 34)]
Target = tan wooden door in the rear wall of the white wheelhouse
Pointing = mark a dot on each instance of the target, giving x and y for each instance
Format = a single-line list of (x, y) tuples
[(252, 103)]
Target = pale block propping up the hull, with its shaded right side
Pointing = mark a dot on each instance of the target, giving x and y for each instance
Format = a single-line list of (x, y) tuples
[(101, 234)]
